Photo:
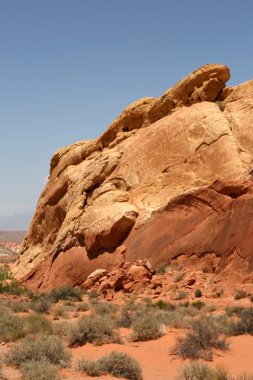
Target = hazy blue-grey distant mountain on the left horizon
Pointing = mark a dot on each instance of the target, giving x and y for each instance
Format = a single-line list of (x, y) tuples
[(18, 222)]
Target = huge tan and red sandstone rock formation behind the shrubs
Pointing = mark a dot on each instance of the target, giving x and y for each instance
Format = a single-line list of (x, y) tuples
[(127, 185)]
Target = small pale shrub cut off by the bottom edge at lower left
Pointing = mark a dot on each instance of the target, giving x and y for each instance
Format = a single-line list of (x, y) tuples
[(39, 370)]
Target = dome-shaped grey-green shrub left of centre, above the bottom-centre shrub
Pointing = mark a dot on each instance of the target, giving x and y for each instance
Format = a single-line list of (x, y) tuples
[(94, 329)]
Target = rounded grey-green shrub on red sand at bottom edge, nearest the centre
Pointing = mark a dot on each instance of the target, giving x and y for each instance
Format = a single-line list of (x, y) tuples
[(120, 365)]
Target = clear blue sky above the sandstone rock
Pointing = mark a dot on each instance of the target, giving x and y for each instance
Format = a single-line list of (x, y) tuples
[(69, 67)]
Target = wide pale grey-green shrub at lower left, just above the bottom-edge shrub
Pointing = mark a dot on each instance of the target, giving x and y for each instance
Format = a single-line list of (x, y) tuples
[(48, 348)]
